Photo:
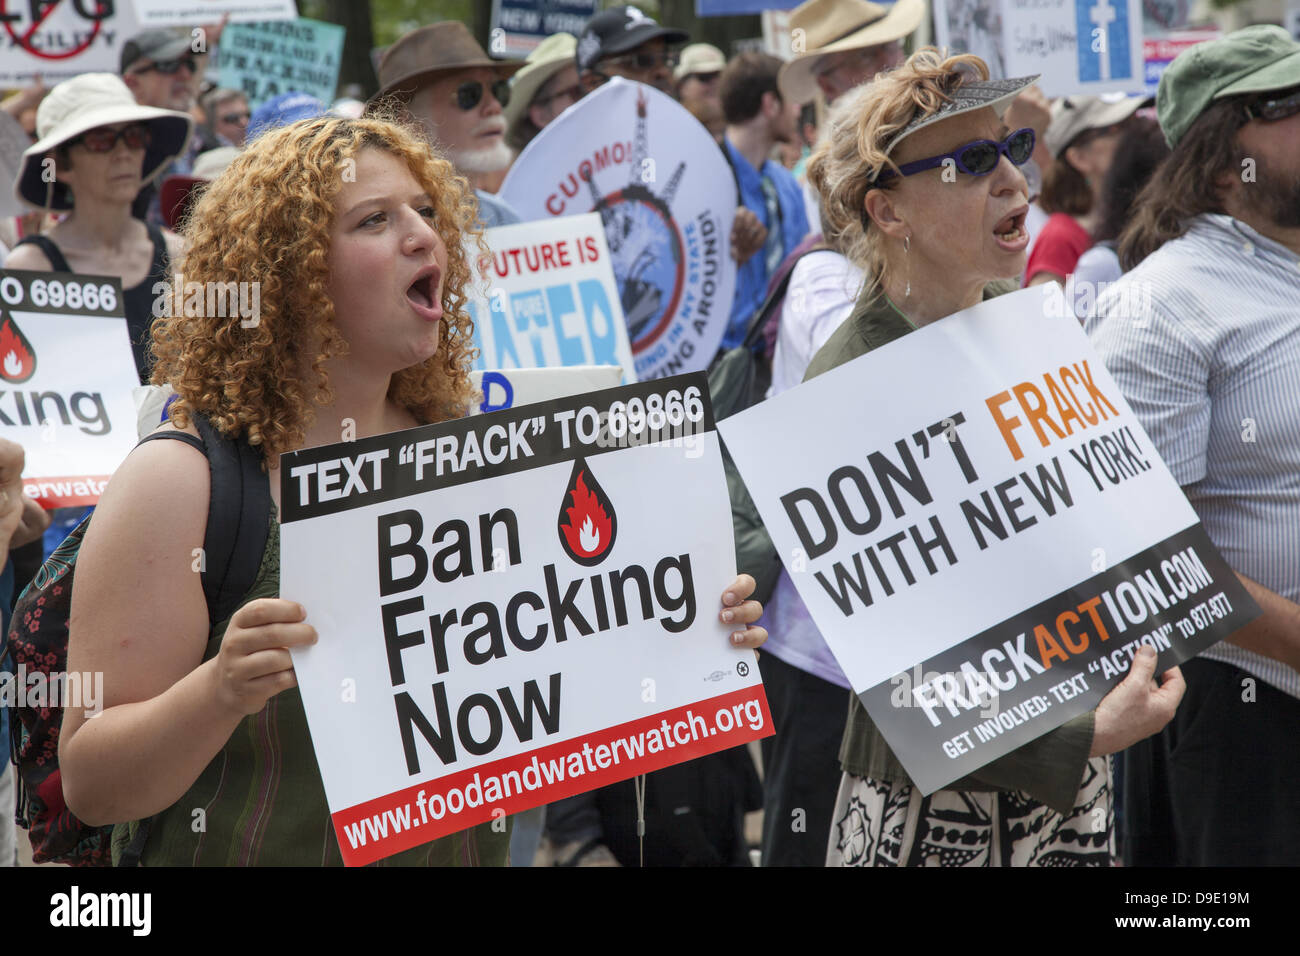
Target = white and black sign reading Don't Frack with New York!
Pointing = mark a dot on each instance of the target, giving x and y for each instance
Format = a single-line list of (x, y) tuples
[(990, 538)]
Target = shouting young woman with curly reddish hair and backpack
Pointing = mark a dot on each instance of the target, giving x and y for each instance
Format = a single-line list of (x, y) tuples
[(357, 233)]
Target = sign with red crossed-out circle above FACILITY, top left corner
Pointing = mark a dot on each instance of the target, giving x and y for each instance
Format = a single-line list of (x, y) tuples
[(62, 40)]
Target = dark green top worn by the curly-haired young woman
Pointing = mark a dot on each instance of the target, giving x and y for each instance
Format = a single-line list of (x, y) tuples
[(262, 803)]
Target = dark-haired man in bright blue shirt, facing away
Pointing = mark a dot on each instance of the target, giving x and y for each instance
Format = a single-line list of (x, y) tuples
[(759, 118)]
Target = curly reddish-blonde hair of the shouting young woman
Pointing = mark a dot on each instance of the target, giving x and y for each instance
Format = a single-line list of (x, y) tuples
[(268, 219)]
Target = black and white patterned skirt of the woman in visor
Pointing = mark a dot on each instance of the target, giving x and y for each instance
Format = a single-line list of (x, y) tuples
[(883, 824)]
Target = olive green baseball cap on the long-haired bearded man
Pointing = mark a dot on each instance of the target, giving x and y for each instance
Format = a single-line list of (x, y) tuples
[(1259, 59)]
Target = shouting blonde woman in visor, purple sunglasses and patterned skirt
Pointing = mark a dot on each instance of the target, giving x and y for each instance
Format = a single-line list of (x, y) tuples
[(921, 184)]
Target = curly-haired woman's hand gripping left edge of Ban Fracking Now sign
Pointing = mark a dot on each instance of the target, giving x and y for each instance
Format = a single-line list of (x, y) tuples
[(254, 664)]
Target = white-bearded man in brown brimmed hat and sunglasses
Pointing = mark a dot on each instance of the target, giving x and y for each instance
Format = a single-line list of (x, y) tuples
[(457, 93)]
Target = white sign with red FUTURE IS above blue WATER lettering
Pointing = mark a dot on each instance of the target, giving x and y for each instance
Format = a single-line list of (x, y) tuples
[(551, 299)]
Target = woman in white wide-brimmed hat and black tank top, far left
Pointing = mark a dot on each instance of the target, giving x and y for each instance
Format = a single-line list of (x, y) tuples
[(96, 150)]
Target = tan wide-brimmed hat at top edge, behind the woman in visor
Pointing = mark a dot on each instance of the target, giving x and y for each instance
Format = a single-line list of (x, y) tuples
[(831, 27)]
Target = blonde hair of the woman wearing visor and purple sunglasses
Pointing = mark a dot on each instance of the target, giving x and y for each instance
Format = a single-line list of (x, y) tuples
[(852, 155)]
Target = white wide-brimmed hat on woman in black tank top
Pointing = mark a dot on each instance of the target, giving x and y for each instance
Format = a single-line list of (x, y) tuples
[(85, 103)]
